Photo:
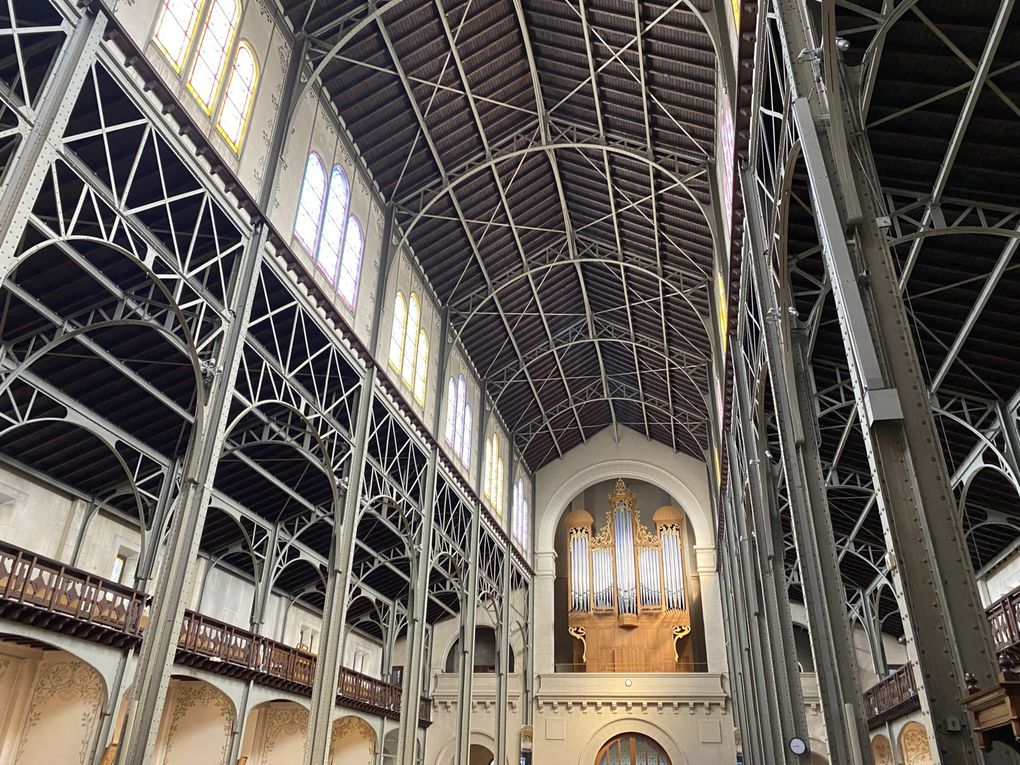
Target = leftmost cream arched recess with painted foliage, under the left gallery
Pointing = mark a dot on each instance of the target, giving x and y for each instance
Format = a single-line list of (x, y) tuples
[(56, 702)]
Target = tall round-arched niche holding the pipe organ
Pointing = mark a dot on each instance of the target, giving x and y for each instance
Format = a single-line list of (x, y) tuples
[(599, 625)]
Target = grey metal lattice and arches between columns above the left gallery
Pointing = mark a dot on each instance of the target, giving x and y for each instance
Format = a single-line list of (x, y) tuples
[(128, 243)]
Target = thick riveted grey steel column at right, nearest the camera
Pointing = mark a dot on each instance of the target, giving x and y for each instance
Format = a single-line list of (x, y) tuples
[(936, 586)]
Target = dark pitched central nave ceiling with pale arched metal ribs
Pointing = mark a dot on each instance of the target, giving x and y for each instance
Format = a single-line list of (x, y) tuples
[(511, 133)]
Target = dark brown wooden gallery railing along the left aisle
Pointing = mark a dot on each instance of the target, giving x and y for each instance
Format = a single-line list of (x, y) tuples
[(39, 591)]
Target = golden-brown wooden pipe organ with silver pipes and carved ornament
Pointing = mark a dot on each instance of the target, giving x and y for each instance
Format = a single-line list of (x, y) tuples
[(628, 600)]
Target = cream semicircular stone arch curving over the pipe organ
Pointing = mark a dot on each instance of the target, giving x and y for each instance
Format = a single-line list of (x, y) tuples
[(699, 516)]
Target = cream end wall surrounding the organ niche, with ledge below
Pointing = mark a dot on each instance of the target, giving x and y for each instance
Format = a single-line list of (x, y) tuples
[(577, 713)]
